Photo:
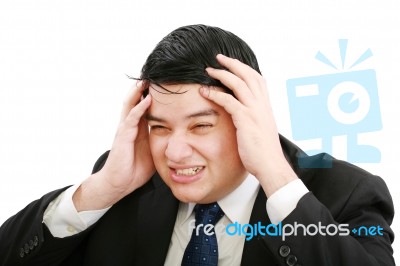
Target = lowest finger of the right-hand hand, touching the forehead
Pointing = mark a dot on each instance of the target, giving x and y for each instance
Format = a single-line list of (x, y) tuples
[(227, 101)]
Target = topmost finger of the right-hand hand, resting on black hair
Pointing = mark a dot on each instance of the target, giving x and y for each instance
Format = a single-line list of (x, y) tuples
[(251, 77)]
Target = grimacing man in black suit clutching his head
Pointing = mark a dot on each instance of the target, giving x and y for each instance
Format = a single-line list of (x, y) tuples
[(197, 136)]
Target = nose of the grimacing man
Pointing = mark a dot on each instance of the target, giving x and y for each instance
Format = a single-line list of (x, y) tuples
[(178, 148)]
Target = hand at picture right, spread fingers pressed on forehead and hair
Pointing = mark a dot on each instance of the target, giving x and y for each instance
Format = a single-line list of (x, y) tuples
[(257, 134)]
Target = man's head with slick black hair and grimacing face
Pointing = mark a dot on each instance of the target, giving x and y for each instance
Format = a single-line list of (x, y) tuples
[(193, 140)]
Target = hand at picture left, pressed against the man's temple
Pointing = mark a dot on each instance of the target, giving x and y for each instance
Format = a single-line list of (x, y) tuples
[(129, 164)]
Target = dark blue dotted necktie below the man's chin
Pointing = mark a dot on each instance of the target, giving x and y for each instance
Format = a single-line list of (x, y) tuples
[(202, 249)]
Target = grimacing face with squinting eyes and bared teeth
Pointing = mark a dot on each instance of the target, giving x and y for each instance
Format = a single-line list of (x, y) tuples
[(193, 144)]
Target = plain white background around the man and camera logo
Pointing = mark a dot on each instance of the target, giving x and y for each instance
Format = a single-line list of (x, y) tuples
[(63, 67)]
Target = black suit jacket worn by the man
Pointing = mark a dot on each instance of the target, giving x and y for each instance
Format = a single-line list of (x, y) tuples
[(137, 230)]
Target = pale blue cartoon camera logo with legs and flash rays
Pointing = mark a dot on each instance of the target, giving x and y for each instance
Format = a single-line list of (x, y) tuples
[(340, 104)]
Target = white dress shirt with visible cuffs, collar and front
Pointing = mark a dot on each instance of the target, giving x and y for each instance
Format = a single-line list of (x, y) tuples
[(63, 220)]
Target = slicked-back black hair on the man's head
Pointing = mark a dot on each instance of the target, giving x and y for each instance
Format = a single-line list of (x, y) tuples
[(182, 56)]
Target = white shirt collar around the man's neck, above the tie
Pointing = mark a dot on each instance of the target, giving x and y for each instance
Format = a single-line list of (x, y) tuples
[(237, 205)]
